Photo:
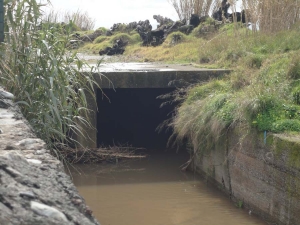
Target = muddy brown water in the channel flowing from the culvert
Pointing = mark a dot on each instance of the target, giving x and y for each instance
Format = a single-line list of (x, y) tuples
[(154, 191)]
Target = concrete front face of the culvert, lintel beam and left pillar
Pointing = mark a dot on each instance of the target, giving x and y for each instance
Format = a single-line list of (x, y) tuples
[(140, 79)]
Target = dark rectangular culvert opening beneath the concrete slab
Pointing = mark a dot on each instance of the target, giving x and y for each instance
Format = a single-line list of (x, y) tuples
[(131, 116)]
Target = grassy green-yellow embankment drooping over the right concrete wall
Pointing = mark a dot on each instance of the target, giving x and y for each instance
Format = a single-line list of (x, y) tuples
[(262, 92)]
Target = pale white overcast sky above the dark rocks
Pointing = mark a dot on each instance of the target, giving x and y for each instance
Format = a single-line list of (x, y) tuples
[(108, 12)]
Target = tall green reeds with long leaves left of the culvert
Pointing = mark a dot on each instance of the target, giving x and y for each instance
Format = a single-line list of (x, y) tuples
[(44, 76)]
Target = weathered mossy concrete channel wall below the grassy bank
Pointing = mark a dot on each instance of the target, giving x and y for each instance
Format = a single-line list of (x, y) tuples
[(264, 176)]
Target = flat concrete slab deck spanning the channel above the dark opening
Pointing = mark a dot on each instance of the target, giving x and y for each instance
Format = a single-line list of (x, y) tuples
[(152, 75)]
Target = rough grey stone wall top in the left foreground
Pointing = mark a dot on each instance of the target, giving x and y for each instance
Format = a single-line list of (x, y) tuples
[(34, 188)]
